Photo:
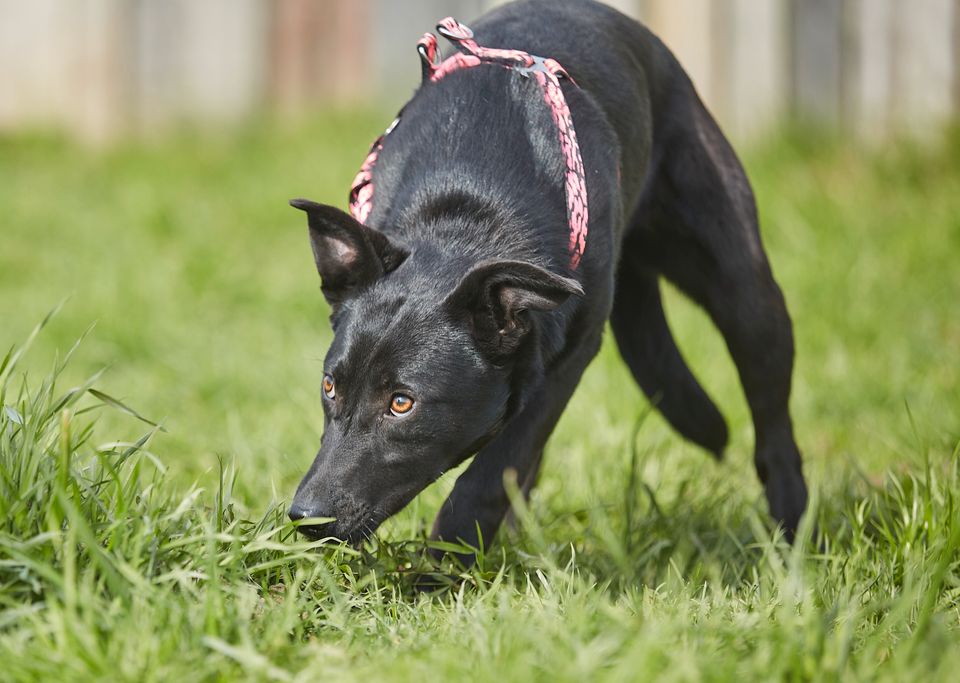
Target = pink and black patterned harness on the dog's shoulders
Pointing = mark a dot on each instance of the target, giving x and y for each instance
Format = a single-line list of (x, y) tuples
[(547, 72)]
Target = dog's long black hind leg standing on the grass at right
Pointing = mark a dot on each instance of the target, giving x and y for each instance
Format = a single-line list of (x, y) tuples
[(697, 225)]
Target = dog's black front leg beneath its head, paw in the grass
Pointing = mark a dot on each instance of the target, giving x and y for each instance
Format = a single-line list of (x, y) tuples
[(478, 503)]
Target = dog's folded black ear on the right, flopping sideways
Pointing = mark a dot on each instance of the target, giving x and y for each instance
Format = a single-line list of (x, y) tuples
[(495, 297)]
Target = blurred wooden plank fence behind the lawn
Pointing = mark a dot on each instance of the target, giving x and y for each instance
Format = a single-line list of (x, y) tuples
[(102, 68)]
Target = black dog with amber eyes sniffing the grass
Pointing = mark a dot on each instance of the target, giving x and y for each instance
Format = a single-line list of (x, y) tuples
[(463, 321)]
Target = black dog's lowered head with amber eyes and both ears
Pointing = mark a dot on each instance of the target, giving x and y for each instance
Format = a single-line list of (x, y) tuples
[(426, 364)]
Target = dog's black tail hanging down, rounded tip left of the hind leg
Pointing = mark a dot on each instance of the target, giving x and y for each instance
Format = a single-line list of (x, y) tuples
[(648, 348)]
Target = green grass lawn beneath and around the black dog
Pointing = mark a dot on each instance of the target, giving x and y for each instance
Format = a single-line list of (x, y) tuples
[(141, 552)]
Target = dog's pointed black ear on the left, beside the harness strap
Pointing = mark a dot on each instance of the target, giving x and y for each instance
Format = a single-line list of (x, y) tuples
[(349, 255)]
